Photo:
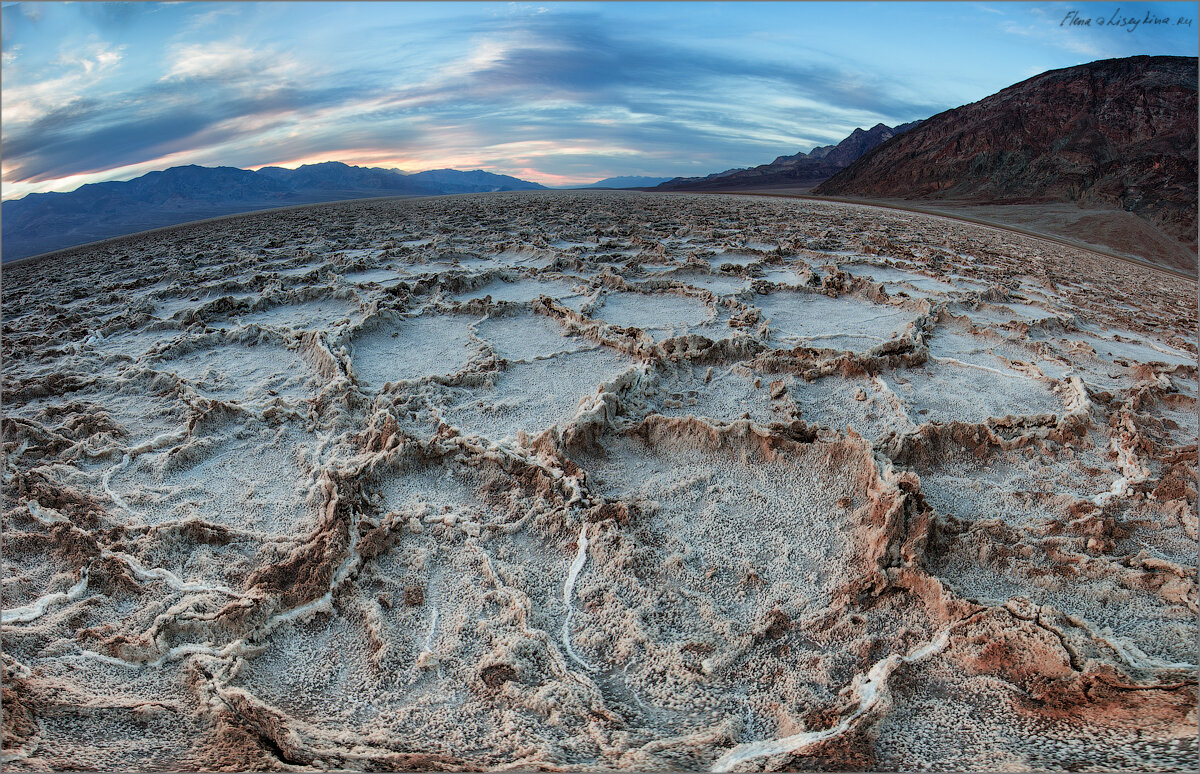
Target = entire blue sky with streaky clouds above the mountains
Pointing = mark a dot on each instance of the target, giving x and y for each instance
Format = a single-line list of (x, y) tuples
[(556, 93)]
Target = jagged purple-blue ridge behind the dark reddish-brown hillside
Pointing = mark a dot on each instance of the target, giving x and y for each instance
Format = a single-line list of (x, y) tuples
[(801, 171)]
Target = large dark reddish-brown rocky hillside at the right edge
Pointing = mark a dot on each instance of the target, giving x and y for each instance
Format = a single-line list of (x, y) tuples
[(1119, 134)]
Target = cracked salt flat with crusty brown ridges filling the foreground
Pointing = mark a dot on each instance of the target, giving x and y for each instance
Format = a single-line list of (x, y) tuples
[(598, 481)]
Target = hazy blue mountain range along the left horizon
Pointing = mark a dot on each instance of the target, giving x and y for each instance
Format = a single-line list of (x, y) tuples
[(44, 223)]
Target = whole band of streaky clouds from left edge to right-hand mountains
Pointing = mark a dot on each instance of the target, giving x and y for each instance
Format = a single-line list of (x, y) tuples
[(557, 92)]
